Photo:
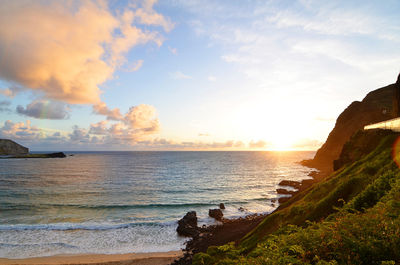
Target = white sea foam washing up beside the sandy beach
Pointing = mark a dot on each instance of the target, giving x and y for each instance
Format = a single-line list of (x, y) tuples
[(18, 243)]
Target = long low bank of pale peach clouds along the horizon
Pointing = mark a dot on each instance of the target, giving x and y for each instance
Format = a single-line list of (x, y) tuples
[(110, 134)]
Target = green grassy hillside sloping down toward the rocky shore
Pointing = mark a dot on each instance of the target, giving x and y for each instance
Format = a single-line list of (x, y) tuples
[(351, 217)]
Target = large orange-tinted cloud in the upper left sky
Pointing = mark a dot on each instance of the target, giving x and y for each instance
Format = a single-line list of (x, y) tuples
[(65, 51)]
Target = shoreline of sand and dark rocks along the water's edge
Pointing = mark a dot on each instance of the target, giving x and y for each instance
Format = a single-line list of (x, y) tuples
[(212, 235)]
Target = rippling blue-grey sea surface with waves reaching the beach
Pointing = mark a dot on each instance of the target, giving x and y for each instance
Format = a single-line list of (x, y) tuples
[(122, 202)]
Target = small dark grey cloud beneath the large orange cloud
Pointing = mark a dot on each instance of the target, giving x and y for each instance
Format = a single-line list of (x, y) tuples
[(45, 109)]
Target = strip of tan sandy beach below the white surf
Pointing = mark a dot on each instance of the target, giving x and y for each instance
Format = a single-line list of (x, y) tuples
[(157, 258)]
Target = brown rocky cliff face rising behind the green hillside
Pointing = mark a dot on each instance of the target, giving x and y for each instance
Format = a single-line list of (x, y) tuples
[(375, 107)]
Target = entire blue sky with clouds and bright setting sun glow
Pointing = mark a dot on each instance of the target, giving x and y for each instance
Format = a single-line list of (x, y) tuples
[(189, 75)]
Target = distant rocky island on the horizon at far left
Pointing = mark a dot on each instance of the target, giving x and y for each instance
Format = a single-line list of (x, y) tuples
[(11, 149)]
